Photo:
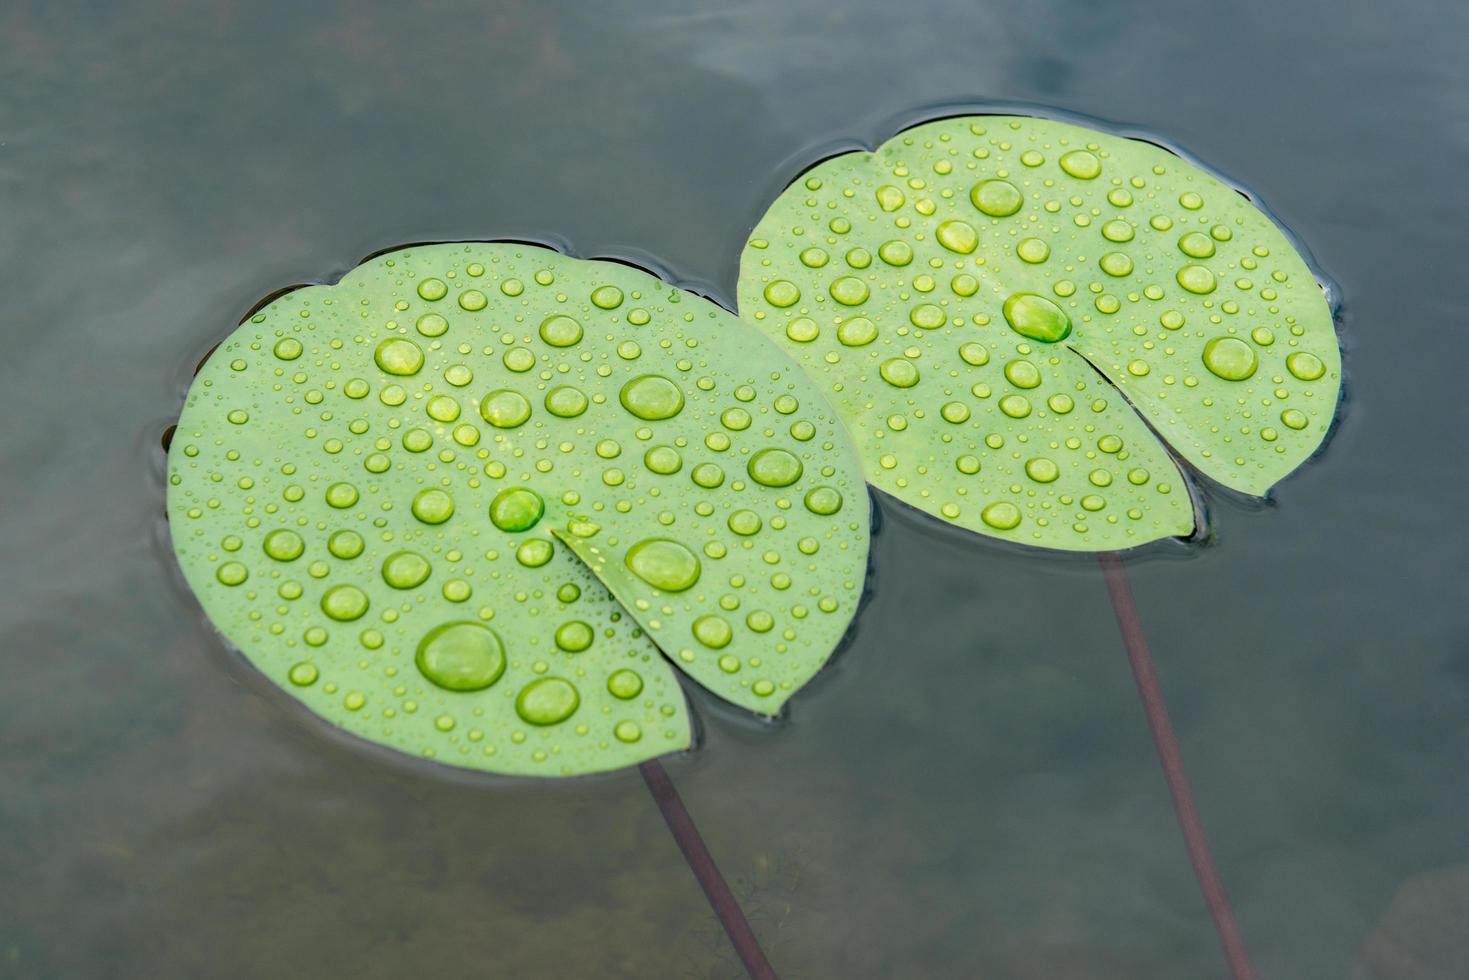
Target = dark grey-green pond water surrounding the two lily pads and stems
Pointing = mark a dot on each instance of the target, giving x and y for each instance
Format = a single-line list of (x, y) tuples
[(970, 791)]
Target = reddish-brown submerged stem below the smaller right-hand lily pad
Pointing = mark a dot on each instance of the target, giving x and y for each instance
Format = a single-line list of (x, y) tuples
[(1173, 760)]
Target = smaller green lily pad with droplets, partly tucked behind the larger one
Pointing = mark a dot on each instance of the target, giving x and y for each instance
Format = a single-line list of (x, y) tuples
[(1014, 315)]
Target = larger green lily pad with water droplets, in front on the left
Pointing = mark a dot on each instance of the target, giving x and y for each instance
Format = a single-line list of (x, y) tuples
[(380, 493)]
